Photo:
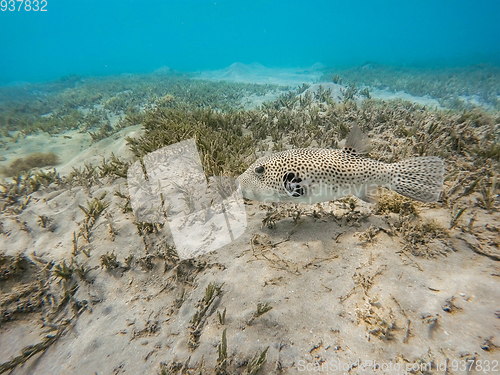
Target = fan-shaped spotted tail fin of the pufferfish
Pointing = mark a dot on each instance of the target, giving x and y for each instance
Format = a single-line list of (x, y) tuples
[(418, 178)]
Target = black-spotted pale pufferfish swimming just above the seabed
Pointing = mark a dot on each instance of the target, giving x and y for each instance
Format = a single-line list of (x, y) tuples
[(313, 175)]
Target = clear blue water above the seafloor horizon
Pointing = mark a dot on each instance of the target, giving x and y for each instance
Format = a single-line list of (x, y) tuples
[(94, 37)]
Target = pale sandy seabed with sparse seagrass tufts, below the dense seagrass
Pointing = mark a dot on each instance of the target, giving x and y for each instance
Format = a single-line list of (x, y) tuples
[(331, 288)]
